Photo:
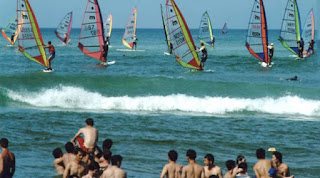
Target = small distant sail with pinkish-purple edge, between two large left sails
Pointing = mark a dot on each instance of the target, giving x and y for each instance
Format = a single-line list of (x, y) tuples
[(64, 28)]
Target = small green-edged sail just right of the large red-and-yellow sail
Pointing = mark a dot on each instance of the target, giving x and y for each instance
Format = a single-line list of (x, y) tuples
[(205, 30)]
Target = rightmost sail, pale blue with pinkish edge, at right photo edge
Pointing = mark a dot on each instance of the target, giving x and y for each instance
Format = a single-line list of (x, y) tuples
[(308, 29)]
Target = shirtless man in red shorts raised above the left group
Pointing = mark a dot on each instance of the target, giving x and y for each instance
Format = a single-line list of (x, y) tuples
[(90, 136)]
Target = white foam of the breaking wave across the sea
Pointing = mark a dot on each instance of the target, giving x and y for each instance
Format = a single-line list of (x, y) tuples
[(75, 98)]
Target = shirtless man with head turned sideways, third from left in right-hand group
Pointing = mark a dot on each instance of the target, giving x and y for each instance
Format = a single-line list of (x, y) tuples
[(210, 168)]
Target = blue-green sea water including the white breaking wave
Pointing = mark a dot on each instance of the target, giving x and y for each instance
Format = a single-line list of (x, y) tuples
[(148, 104)]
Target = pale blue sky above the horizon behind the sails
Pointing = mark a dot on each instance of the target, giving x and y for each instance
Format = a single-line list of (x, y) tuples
[(236, 13)]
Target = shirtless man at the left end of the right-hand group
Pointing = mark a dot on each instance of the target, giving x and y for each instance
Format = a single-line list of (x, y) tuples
[(172, 169)]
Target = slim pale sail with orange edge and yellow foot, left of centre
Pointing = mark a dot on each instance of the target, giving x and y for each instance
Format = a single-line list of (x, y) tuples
[(130, 30)]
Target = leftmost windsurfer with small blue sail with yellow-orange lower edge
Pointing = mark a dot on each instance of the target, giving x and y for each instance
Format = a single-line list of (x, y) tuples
[(10, 29)]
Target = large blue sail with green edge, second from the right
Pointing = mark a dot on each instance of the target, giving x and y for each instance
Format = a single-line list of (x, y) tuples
[(291, 27)]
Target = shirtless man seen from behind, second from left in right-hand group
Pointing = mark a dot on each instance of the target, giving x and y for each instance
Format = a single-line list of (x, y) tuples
[(192, 170)]
